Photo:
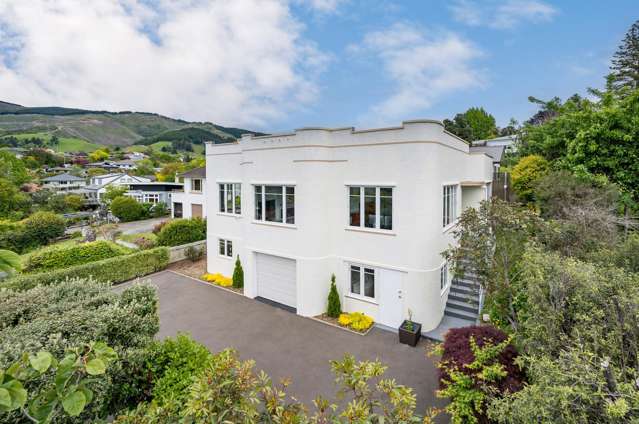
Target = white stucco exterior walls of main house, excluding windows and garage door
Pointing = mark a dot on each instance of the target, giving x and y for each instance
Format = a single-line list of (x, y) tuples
[(416, 159)]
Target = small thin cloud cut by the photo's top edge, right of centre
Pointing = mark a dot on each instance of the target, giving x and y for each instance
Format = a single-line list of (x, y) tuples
[(501, 14)]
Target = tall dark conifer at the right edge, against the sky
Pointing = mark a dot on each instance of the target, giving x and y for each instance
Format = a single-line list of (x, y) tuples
[(625, 62)]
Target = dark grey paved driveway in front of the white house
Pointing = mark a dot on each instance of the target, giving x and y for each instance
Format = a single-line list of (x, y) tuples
[(284, 344)]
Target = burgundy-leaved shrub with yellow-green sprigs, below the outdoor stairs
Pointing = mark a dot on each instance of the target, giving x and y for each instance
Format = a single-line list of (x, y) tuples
[(478, 365)]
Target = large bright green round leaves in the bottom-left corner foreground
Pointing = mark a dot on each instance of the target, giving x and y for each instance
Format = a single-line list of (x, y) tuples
[(73, 374)]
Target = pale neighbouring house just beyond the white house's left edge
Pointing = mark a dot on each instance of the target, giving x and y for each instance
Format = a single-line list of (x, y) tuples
[(190, 202)]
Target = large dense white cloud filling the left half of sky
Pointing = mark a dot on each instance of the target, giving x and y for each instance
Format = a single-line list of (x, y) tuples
[(240, 62)]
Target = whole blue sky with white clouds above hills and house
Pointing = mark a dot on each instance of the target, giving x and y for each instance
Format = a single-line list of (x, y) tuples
[(274, 65)]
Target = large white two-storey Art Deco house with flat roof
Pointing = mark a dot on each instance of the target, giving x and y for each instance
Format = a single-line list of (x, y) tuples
[(375, 207)]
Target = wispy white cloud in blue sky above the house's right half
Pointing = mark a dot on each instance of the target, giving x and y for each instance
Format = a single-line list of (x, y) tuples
[(422, 68)]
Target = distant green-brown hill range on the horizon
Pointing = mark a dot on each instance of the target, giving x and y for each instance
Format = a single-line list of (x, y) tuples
[(108, 128)]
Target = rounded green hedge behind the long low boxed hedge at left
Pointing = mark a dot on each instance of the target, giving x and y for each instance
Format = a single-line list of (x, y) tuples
[(63, 257)]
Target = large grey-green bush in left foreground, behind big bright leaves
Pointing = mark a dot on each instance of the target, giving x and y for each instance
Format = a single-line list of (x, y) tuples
[(54, 318)]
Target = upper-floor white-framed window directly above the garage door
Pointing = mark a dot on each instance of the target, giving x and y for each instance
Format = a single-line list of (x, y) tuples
[(275, 203)]
